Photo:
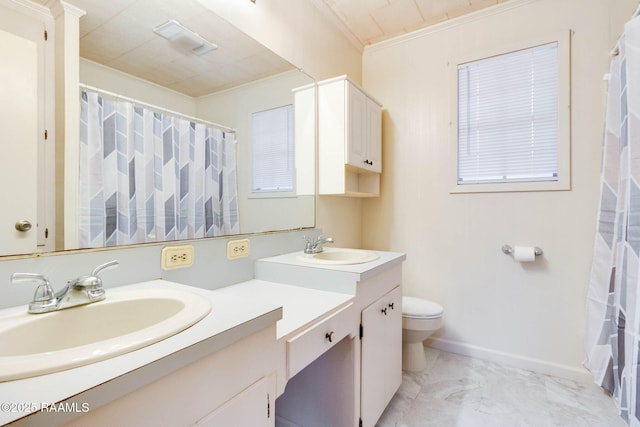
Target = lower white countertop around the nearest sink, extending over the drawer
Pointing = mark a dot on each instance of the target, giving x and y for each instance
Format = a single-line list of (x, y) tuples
[(237, 311)]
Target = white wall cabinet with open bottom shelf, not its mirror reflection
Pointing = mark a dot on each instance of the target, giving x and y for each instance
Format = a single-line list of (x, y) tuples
[(349, 139)]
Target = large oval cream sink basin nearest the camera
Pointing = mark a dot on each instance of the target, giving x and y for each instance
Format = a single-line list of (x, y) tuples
[(36, 344)]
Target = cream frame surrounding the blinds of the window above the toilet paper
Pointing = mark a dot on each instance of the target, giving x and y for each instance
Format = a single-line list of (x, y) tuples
[(563, 182)]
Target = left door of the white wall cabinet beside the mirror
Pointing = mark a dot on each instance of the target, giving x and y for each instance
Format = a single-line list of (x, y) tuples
[(356, 146)]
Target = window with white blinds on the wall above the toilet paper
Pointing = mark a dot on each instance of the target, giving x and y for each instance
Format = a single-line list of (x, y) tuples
[(511, 128)]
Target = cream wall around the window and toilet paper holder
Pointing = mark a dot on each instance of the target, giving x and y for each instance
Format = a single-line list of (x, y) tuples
[(530, 315)]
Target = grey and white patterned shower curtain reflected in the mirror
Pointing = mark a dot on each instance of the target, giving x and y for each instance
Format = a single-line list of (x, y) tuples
[(147, 176)]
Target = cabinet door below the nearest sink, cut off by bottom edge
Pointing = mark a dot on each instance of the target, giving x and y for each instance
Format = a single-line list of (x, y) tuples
[(252, 407)]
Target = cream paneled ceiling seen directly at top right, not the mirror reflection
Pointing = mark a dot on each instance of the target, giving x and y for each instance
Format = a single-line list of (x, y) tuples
[(371, 21)]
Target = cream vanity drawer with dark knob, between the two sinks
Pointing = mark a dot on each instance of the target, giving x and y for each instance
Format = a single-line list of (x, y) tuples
[(308, 345)]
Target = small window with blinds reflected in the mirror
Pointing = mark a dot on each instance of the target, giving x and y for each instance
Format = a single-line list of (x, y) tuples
[(272, 151)]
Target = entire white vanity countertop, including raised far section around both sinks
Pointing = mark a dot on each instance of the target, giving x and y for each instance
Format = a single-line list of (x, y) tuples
[(237, 311)]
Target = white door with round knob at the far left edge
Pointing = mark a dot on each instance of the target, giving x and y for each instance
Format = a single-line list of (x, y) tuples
[(19, 135)]
